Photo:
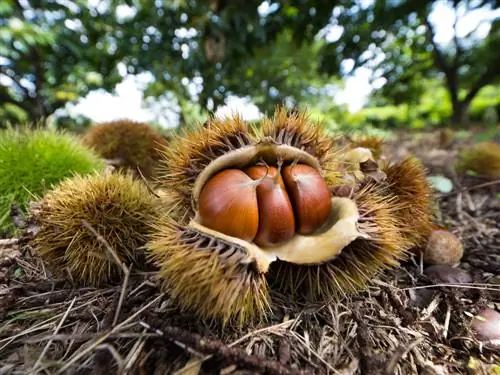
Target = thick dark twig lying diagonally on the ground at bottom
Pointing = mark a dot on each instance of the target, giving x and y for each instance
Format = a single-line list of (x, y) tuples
[(218, 348)]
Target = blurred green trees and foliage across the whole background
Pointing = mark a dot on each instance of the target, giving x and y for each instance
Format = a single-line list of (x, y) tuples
[(292, 52)]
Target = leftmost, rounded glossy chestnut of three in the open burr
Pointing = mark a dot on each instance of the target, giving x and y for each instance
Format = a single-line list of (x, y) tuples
[(228, 204)]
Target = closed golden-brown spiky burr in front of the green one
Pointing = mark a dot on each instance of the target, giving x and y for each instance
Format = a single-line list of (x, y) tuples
[(117, 206)]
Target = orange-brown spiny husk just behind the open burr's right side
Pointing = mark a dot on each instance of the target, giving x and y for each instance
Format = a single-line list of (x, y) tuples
[(406, 180)]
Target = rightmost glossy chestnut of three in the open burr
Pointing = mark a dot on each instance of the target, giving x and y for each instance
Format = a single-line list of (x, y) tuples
[(310, 196)]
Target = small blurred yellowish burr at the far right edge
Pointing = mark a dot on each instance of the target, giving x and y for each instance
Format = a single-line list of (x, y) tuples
[(483, 159)]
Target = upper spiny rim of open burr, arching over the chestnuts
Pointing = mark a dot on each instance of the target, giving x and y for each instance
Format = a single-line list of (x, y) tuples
[(188, 155)]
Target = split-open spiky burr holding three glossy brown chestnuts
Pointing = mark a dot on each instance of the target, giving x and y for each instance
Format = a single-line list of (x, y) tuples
[(212, 254)]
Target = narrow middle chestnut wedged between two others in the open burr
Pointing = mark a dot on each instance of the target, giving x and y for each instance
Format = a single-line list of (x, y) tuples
[(276, 217)]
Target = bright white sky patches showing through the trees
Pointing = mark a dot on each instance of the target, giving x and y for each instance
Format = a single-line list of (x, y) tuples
[(127, 99)]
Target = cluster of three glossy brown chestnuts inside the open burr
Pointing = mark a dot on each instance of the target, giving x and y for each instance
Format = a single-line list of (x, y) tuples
[(265, 204)]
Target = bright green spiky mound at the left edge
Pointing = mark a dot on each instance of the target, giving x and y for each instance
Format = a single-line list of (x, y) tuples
[(32, 160)]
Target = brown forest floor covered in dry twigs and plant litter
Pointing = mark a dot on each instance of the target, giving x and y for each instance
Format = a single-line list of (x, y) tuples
[(405, 323)]
